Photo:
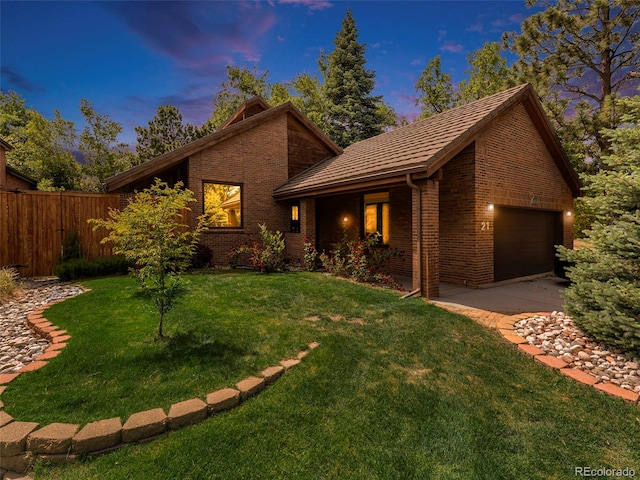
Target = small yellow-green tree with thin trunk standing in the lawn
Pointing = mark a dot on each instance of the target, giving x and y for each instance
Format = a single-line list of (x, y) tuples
[(152, 232)]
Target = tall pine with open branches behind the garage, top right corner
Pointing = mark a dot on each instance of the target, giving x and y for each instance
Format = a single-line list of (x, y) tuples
[(579, 54)]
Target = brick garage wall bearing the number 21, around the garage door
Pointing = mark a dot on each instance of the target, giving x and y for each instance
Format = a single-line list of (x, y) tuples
[(508, 164)]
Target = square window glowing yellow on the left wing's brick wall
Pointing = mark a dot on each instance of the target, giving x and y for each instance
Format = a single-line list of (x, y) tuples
[(223, 204)]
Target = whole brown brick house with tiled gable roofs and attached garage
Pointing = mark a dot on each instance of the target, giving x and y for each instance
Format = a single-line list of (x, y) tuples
[(472, 196)]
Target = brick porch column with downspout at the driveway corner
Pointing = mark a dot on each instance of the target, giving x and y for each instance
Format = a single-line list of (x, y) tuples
[(429, 238)]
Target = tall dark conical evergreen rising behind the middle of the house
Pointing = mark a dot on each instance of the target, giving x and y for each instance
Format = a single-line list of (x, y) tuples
[(353, 114)]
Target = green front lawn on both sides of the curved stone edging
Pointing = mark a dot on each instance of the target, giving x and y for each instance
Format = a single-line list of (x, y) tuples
[(397, 388)]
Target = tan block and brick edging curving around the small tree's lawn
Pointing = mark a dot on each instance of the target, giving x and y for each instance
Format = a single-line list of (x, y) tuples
[(22, 443)]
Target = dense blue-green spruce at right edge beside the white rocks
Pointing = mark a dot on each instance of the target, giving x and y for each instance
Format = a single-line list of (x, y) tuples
[(604, 297)]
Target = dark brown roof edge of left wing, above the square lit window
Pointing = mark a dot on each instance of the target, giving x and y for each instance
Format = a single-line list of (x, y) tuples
[(169, 159)]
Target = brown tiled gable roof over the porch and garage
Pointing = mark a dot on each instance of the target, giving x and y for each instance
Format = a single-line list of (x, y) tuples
[(423, 147)]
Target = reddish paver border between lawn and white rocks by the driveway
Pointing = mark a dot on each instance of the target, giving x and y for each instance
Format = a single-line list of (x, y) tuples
[(504, 324)]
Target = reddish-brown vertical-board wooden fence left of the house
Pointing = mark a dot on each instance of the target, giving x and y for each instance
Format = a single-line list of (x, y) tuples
[(33, 226)]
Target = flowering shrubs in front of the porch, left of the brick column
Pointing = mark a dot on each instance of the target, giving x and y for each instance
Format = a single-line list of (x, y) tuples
[(361, 261)]
